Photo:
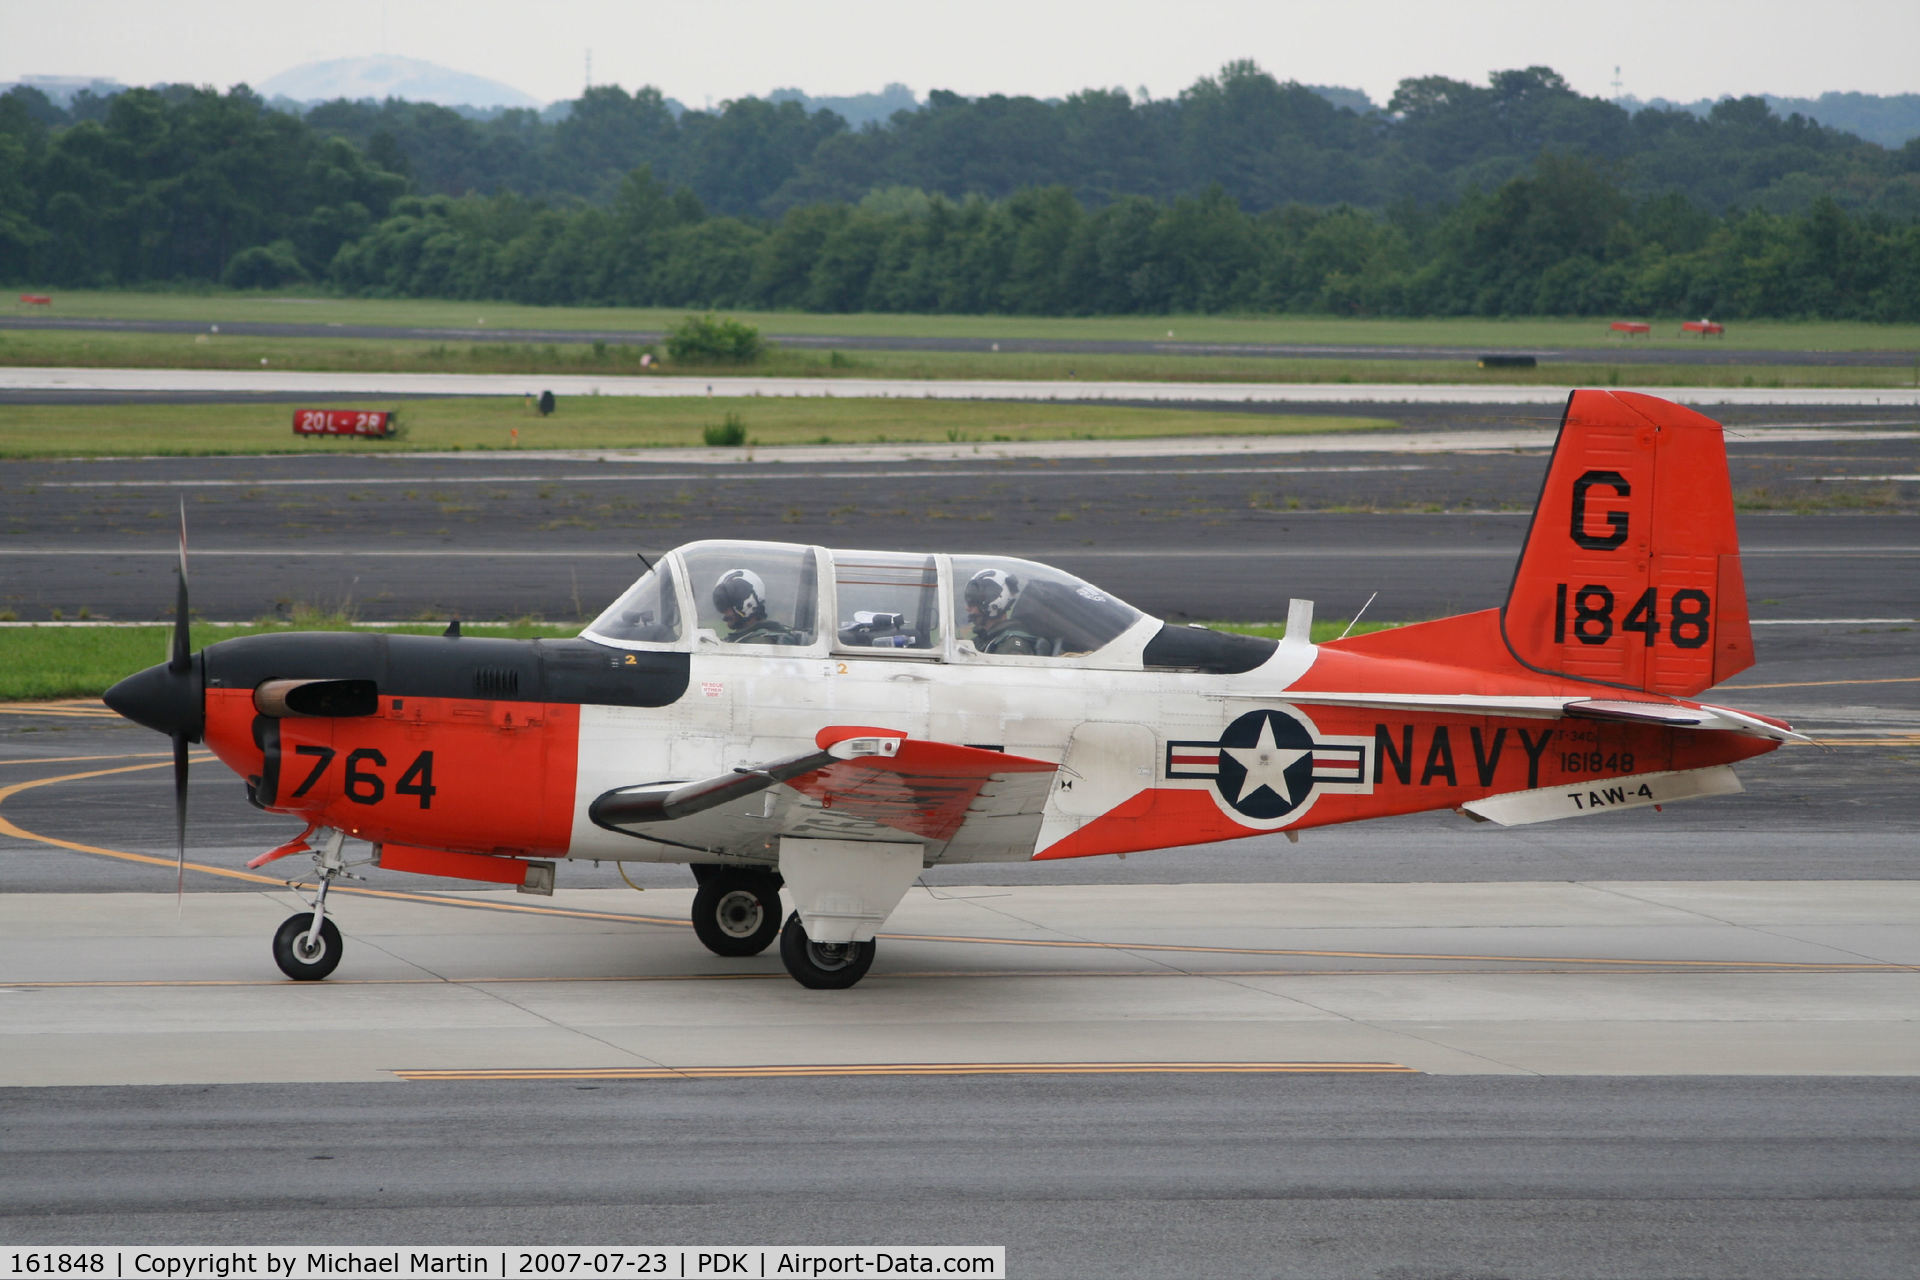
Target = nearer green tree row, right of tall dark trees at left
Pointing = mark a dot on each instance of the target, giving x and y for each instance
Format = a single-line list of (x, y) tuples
[(1560, 239)]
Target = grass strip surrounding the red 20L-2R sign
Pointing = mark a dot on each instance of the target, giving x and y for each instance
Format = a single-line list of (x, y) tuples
[(612, 423)]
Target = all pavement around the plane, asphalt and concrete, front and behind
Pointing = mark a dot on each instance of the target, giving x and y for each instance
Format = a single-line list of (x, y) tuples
[(1616, 1078)]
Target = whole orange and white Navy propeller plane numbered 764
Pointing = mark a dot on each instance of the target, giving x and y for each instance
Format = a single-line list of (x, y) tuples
[(827, 724)]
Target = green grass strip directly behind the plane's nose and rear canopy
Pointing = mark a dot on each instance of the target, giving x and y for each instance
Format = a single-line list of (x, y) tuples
[(82, 663)]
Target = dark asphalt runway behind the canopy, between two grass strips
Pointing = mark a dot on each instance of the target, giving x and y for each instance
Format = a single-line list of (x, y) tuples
[(1182, 536)]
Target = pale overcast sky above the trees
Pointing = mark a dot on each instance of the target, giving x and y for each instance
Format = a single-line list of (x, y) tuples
[(709, 51)]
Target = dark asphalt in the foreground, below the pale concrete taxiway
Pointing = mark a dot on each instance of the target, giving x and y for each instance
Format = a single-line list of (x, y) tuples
[(1401, 1177)]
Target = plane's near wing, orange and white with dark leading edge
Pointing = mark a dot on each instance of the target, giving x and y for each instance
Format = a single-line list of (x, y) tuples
[(859, 786)]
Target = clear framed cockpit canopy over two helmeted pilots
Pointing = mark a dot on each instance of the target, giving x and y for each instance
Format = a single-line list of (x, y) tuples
[(784, 600)]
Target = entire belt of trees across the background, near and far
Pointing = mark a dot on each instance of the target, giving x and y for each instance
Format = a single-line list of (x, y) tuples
[(1535, 206)]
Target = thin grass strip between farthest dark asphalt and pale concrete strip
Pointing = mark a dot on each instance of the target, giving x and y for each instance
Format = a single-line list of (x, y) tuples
[(103, 350)]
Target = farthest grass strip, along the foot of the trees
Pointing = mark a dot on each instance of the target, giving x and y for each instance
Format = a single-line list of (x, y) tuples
[(218, 308)]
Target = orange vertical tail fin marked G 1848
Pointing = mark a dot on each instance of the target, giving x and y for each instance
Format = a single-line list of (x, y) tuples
[(1631, 573)]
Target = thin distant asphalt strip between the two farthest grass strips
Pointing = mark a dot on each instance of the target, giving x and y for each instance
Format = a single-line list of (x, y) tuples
[(1616, 352)]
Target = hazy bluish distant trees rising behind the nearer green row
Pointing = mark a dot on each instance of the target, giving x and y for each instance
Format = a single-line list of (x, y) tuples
[(1262, 141)]
